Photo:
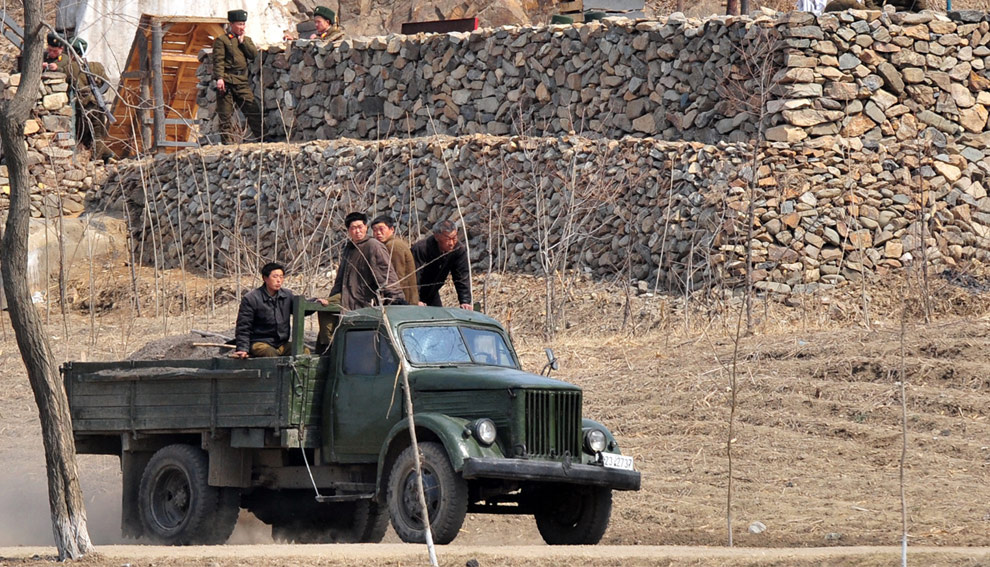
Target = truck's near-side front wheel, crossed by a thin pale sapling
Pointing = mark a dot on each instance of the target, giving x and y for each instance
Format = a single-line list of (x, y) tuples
[(446, 496)]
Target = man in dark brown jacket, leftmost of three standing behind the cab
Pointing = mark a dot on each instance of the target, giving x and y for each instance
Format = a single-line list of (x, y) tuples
[(364, 278)]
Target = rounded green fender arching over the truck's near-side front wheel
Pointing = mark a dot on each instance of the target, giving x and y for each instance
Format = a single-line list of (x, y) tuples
[(452, 432)]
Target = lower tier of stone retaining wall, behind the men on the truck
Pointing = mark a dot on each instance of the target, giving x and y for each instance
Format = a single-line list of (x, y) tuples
[(650, 210)]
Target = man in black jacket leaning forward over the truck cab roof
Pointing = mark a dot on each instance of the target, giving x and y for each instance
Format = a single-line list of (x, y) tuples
[(437, 257)]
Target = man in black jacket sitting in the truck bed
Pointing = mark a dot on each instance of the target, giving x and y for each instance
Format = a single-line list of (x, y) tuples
[(263, 318)]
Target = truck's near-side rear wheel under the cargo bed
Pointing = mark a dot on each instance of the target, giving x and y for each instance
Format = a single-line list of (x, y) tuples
[(176, 504)]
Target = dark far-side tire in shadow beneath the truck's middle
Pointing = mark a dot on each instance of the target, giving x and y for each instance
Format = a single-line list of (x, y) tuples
[(362, 521)]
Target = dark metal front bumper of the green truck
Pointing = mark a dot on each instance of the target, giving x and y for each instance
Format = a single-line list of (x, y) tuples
[(550, 471)]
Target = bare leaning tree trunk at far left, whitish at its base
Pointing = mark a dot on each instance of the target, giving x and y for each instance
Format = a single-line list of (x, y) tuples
[(64, 493)]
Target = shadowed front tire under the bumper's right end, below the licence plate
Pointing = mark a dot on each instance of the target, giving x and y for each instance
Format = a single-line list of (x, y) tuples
[(573, 515)]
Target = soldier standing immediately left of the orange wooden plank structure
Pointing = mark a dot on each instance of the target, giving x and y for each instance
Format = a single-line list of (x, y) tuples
[(84, 79)]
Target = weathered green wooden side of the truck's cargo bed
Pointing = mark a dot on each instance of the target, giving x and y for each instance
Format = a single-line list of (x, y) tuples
[(254, 396)]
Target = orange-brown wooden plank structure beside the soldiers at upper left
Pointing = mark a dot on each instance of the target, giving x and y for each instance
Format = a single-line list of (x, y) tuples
[(156, 103)]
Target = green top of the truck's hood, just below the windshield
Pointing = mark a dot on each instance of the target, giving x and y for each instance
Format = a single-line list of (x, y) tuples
[(476, 377)]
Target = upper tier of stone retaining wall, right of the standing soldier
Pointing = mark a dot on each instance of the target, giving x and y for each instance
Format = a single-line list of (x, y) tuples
[(875, 75)]
